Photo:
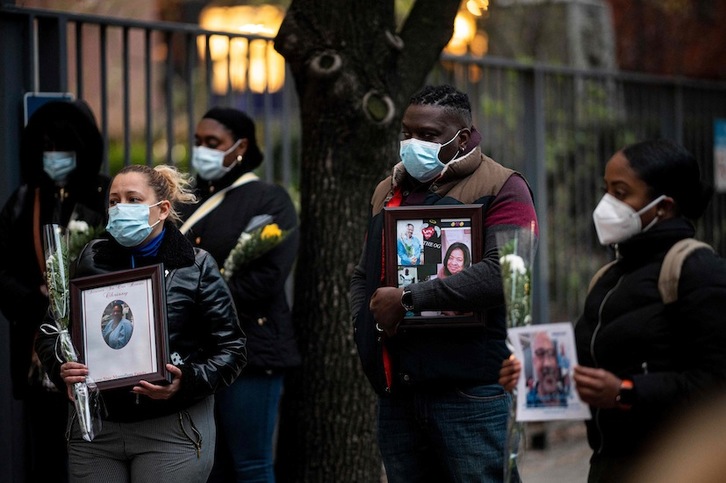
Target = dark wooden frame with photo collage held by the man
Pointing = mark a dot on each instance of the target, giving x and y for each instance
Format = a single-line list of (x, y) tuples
[(427, 242)]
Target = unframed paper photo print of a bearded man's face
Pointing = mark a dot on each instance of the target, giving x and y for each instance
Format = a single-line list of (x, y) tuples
[(546, 390)]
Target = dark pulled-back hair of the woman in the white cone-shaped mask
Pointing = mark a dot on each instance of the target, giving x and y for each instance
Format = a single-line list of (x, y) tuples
[(669, 169)]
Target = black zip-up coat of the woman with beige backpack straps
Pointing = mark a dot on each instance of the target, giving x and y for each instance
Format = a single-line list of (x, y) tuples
[(675, 354)]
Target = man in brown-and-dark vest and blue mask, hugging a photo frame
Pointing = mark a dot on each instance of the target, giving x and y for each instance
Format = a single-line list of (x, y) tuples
[(442, 416)]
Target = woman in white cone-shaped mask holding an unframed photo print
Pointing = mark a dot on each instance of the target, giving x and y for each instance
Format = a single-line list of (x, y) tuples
[(642, 362)]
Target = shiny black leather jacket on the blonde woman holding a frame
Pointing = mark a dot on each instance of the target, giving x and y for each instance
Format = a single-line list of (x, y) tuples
[(202, 324)]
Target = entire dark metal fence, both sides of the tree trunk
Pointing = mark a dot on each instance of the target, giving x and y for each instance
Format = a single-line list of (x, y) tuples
[(149, 82)]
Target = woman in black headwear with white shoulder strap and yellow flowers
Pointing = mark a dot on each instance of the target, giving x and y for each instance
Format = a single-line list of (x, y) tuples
[(232, 197)]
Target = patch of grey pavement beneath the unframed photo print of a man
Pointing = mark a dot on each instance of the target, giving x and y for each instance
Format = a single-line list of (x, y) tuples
[(555, 452)]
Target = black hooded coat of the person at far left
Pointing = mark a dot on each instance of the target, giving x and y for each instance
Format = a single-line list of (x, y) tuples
[(82, 198)]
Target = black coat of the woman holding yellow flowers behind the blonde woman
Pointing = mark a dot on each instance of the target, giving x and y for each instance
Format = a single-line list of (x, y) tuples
[(258, 289)]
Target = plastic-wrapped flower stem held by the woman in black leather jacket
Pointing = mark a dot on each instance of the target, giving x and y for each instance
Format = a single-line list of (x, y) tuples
[(55, 241)]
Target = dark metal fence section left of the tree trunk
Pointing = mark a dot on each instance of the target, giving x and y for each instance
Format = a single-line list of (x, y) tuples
[(150, 82)]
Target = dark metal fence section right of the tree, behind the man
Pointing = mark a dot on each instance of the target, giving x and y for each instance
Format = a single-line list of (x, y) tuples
[(559, 126)]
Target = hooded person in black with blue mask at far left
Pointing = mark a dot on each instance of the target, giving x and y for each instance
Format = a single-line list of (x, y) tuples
[(61, 151)]
